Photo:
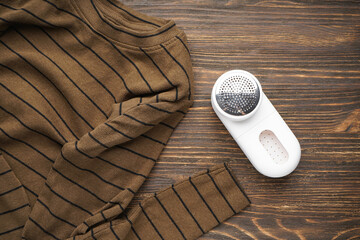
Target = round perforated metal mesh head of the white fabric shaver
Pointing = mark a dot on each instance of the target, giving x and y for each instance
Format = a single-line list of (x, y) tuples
[(238, 95)]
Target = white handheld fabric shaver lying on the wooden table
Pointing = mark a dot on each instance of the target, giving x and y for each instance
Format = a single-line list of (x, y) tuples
[(267, 141)]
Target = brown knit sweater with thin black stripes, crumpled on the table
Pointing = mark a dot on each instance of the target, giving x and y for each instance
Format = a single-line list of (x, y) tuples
[(90, 92)]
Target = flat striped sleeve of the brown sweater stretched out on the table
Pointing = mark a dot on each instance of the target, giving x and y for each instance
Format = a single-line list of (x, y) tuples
[(185, 210)]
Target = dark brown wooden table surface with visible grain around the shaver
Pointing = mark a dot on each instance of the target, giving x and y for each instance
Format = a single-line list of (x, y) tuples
[(306, 55)]
